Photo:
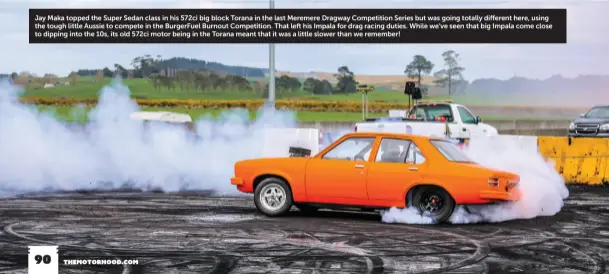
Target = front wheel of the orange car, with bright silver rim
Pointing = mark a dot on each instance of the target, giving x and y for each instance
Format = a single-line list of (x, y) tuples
[(285, 203)]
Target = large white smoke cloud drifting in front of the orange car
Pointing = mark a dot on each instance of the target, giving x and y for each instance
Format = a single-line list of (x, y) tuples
[(41, 153)]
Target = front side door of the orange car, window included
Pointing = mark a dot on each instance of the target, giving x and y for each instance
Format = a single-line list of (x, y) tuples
[(341, 172)]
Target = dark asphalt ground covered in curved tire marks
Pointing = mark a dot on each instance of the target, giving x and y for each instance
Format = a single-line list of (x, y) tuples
[(197, 233)]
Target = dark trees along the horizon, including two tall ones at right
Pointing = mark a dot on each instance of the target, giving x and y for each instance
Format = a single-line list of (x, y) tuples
[(202, 76)]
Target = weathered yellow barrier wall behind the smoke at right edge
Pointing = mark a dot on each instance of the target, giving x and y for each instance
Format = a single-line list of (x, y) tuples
[(578, 160)]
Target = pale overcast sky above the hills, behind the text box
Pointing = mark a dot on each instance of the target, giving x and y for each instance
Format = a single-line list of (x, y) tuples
[(585, 52)]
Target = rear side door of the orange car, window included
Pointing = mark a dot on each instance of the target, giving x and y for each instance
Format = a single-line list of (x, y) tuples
[(398, 164)]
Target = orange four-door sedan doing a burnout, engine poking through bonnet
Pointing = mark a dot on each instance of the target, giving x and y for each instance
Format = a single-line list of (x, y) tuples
[(374, 171)]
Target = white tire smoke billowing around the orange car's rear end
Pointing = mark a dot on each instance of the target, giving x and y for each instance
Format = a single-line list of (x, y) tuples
[(543, 189)]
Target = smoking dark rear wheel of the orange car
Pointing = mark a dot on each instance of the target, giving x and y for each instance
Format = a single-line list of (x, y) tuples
[(433, 202)]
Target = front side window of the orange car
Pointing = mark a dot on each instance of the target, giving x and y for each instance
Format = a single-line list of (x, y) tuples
[(352, 149)]
